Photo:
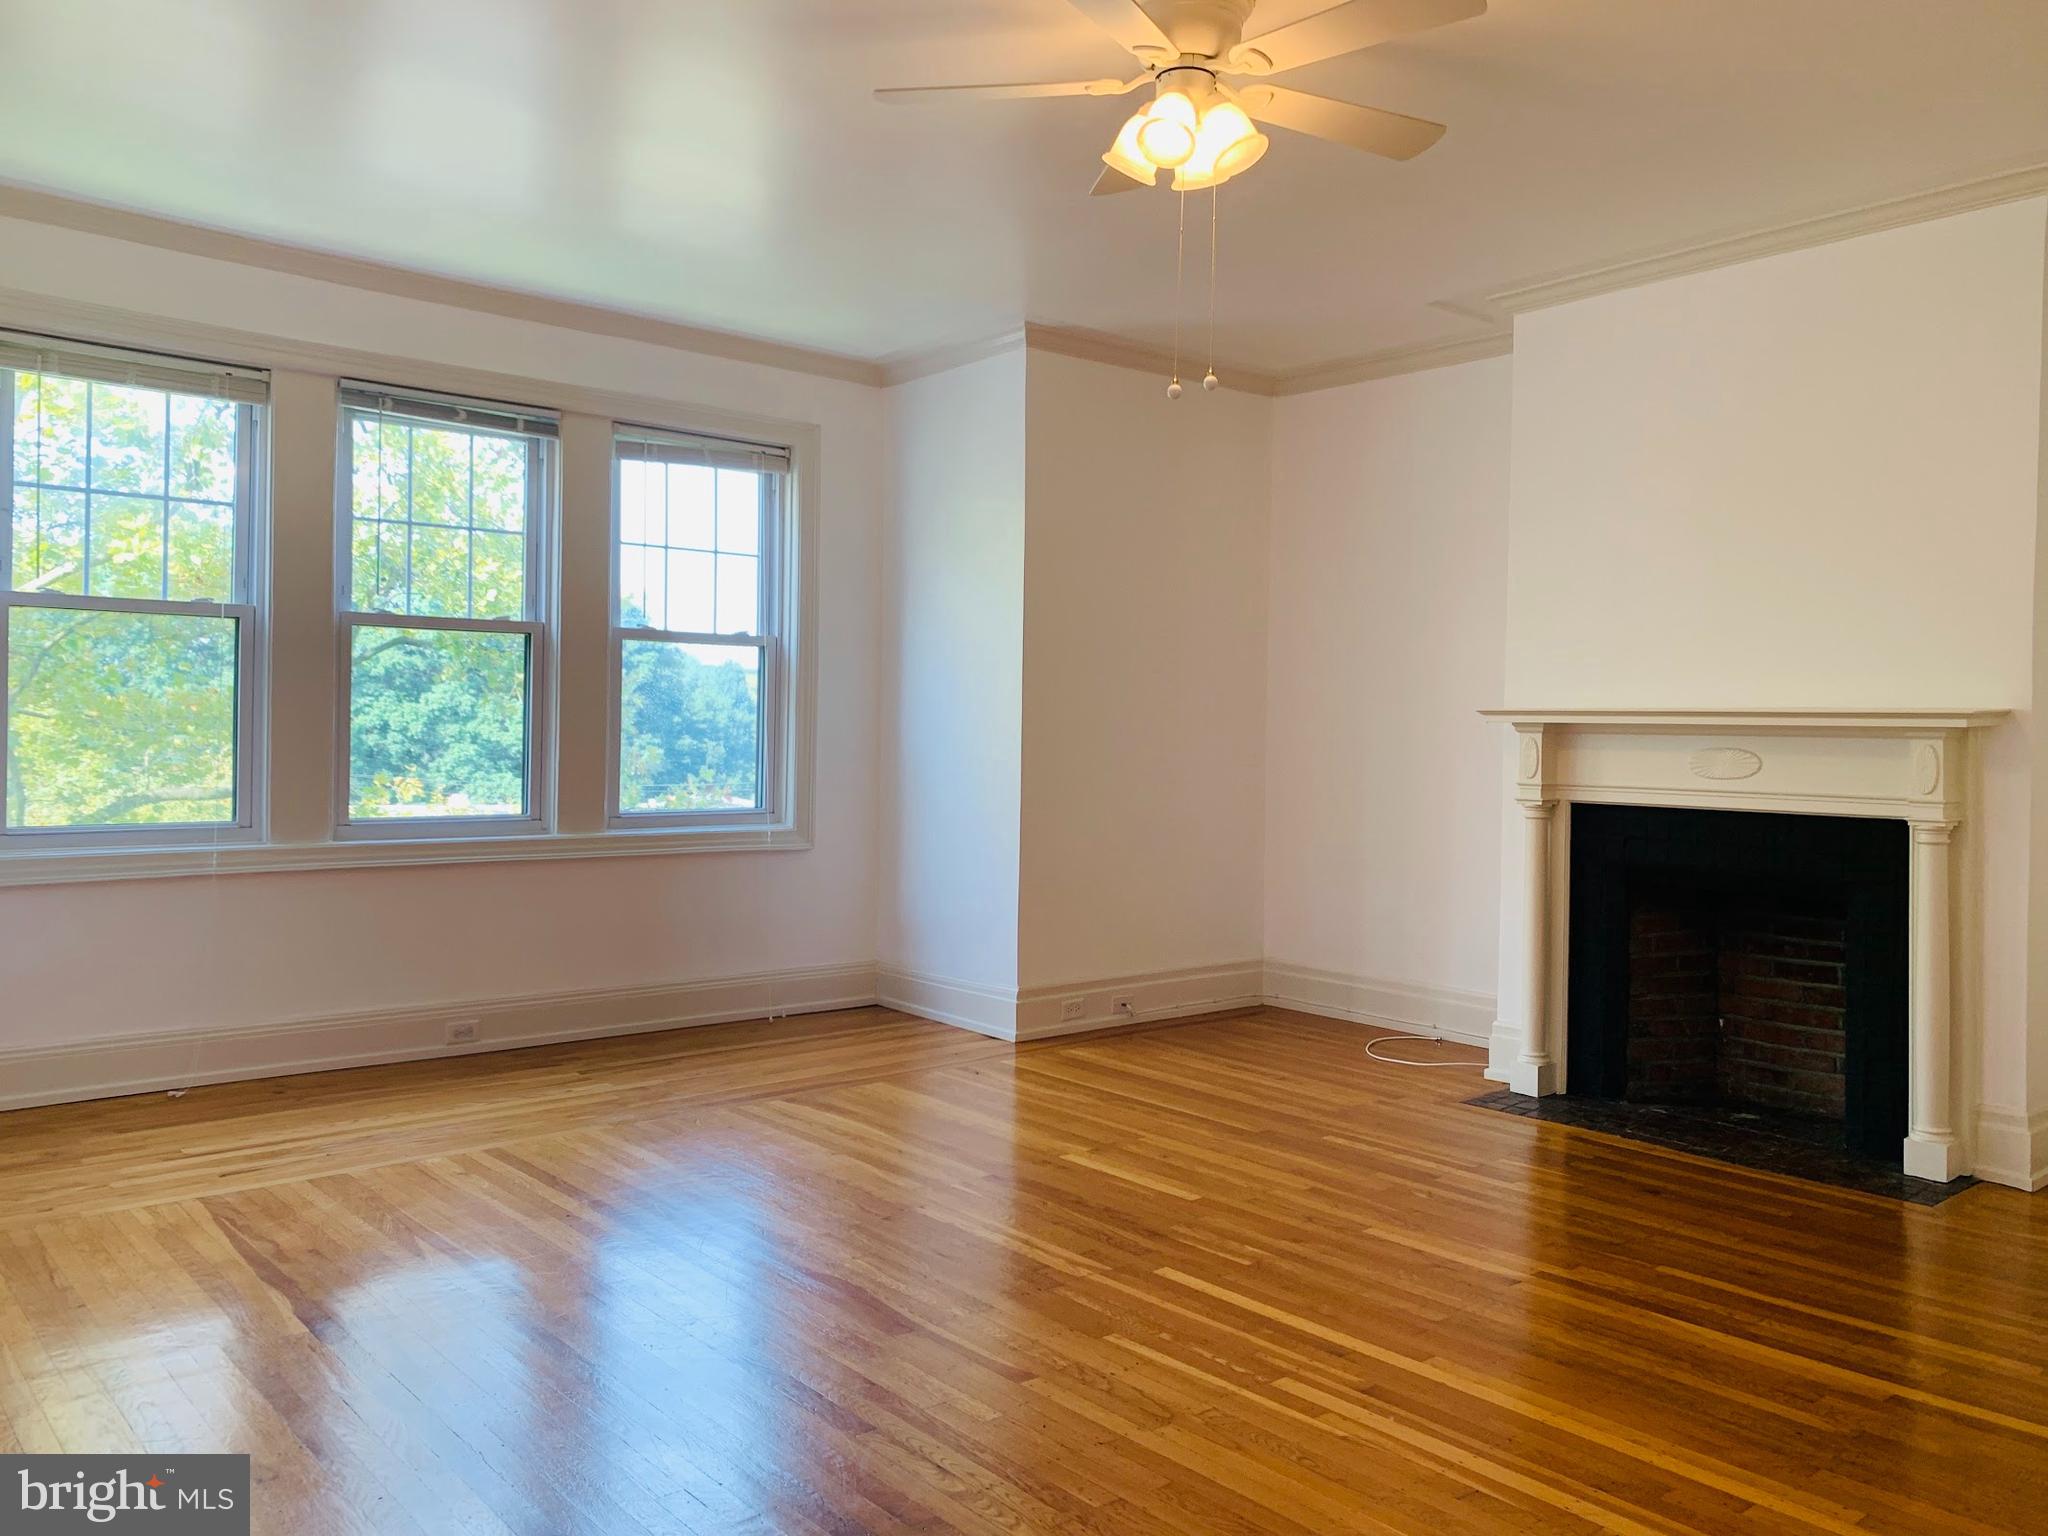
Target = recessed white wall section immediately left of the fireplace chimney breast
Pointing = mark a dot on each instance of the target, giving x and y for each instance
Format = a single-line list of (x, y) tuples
[(1388, 595)]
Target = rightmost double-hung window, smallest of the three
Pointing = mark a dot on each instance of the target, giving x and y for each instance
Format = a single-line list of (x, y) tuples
[(701, 624)]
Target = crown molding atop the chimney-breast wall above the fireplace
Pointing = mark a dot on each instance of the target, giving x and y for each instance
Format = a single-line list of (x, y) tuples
[(1801, 234)]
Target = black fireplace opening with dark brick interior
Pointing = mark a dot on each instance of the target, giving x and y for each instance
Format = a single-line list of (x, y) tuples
[(1746, 966)]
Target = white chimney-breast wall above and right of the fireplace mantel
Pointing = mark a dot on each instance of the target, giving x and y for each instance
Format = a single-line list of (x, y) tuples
[(1807, 480)]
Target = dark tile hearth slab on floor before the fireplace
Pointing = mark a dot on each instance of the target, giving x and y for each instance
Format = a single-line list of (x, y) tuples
[(1779, 1144)]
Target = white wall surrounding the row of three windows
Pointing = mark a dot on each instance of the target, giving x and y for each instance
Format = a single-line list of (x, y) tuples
[(259, 949)]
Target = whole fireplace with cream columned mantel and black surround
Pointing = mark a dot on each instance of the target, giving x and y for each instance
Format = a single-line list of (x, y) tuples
[(1811, 785)]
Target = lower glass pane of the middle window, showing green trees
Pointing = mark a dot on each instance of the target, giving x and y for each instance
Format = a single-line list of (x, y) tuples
[(437, 724)]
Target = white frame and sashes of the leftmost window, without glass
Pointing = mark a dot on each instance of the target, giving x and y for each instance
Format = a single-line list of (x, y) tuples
[(247, 390)]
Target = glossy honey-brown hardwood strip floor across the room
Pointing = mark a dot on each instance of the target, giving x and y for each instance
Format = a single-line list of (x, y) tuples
[(865, 1273)]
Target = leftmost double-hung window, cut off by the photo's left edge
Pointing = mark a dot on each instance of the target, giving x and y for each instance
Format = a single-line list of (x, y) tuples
[(128, 599)]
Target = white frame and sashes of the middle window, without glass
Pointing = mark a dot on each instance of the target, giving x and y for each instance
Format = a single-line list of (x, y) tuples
[(538, 427)]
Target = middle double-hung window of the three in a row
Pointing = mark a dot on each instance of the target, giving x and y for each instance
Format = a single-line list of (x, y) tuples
[(445, 587)]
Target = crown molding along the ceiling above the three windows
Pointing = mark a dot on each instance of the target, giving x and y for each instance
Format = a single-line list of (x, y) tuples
[(427, 288)]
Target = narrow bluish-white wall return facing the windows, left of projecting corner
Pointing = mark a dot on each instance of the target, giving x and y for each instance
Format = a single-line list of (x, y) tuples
[(955, 665)]
